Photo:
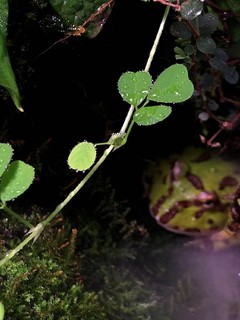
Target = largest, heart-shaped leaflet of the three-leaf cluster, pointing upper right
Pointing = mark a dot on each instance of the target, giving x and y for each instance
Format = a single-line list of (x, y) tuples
[(172, 85)]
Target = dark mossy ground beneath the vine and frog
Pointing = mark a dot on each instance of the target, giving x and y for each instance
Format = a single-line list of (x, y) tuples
[(98, 264)]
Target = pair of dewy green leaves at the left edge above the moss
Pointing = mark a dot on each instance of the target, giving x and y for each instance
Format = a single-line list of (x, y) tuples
[(15, 177)]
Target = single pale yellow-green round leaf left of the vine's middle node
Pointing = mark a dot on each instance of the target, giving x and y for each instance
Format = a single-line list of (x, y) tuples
[(82, 156)]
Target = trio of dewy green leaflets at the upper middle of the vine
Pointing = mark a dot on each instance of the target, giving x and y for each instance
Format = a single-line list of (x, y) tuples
[(171, 86)]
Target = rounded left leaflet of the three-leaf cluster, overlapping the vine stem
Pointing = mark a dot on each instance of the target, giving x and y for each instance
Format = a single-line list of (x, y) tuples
[(134, 86)]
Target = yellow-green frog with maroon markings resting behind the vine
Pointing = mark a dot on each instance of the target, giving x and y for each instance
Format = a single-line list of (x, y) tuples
[(192, 193)]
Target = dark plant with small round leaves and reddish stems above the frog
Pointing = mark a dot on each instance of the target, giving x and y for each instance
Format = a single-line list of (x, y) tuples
[(207, 39)]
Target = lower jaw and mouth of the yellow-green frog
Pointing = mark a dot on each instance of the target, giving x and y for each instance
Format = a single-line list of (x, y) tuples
[(199, 215)]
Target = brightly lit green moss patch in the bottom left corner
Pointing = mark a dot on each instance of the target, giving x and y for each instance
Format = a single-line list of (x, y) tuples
[(43, 282)]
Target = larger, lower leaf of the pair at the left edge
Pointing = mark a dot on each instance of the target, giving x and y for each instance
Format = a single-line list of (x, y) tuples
[(15, 180)]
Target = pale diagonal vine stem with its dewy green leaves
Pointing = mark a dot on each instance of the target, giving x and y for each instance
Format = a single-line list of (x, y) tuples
[(172, 86)]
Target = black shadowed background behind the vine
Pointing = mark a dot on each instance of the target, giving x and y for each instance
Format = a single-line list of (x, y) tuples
[(69, 94)]
